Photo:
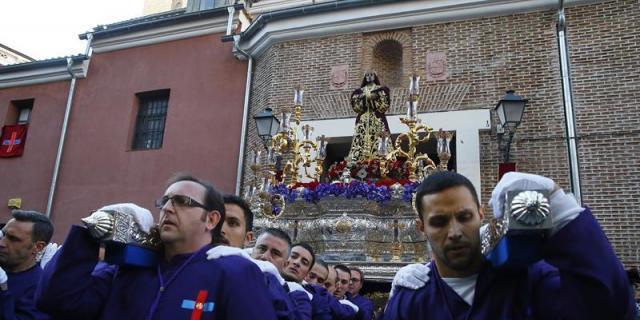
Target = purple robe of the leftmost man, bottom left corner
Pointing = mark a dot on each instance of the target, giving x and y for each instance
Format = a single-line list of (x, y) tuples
[(18, 301)]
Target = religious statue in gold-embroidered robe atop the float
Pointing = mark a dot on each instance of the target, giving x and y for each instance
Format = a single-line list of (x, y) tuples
[(370, 102)]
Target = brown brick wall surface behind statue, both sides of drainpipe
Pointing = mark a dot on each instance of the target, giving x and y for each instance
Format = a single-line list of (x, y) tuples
[(486, 57)]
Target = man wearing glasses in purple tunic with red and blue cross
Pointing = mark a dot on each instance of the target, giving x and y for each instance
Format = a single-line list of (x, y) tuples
[(183, 285)]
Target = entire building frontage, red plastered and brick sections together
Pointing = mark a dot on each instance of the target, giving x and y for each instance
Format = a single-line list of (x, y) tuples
[(467, 53)]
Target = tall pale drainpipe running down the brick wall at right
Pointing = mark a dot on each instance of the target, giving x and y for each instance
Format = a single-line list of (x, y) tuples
[(569, 111)]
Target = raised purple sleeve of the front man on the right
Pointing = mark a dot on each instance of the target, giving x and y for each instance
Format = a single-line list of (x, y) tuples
[(593, 283)]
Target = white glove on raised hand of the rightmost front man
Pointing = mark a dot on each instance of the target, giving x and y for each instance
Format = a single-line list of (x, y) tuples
[(563, 207)]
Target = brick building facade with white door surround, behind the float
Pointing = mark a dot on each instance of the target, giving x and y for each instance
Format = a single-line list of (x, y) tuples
[(470, 53)]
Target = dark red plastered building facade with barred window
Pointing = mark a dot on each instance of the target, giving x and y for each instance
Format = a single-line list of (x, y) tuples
[(158, 95)]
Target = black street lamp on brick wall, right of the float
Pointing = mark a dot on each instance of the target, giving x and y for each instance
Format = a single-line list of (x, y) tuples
[(510, 110)]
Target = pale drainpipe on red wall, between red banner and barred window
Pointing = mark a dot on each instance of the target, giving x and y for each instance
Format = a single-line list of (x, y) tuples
[(65, 124)]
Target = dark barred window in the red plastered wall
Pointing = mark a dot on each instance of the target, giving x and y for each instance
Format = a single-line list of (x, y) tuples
[(152, 114)]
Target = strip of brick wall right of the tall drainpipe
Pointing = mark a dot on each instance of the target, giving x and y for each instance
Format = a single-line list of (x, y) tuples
[(605, 42)]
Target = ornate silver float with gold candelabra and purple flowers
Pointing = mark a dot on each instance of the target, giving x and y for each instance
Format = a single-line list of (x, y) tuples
[(360, 210)]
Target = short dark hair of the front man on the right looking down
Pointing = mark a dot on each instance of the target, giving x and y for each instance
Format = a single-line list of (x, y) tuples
[(441, 181)]
